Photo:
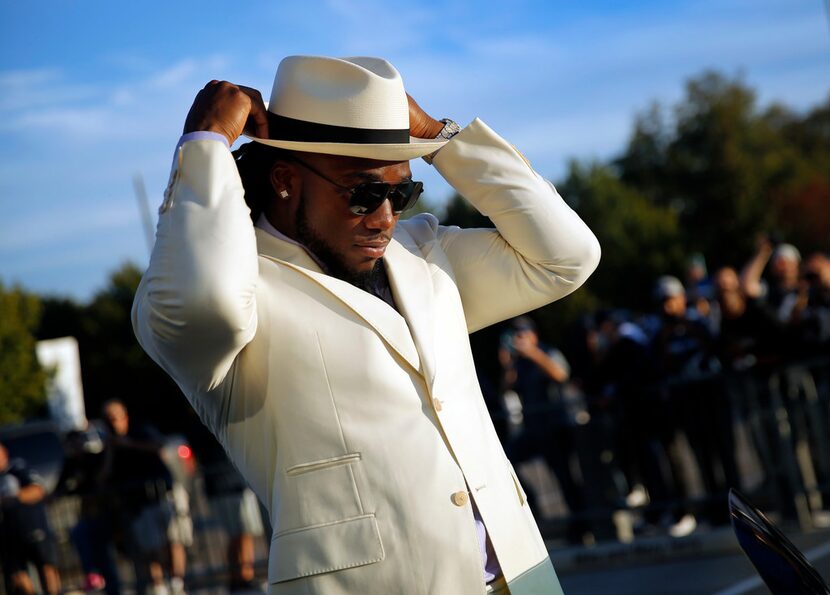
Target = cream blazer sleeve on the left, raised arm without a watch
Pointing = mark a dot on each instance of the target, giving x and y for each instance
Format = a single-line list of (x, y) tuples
[(195, 308)]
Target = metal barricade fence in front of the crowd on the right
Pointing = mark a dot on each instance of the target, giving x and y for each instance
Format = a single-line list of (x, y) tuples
[(772, 423)]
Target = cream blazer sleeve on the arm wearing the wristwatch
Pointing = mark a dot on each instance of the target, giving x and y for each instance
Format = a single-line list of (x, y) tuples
[(540, 250)]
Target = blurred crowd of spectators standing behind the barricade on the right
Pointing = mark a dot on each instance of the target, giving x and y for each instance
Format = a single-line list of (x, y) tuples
[(636, 407)]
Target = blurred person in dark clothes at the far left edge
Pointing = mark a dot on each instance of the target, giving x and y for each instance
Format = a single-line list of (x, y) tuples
[(25, 535)]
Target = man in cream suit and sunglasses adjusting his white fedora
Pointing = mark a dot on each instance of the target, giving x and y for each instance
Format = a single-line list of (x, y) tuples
[(326, 346)]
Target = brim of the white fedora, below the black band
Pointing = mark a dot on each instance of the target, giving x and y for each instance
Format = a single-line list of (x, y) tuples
[(416, 147)]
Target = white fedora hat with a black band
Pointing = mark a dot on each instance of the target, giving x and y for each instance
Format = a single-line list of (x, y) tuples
[(342, 106)]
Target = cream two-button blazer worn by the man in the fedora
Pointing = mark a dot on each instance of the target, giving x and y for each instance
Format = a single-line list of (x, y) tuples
[(361, 428)]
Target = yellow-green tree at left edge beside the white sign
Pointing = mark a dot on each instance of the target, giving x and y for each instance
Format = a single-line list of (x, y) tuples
[(22, 380)]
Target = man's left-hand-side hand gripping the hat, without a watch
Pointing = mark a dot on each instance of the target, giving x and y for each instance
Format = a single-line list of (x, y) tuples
[(228, 109)]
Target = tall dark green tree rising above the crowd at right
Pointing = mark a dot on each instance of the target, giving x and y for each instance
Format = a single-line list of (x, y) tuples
[(731, 170)]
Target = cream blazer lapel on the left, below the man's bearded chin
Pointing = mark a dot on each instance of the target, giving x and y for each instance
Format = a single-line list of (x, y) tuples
[(388, 323)]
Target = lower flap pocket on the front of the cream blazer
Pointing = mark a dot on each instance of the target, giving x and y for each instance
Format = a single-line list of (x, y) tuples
[(325, 548)]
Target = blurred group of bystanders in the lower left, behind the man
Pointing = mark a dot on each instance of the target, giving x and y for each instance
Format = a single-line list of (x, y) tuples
[(134, 486)]
